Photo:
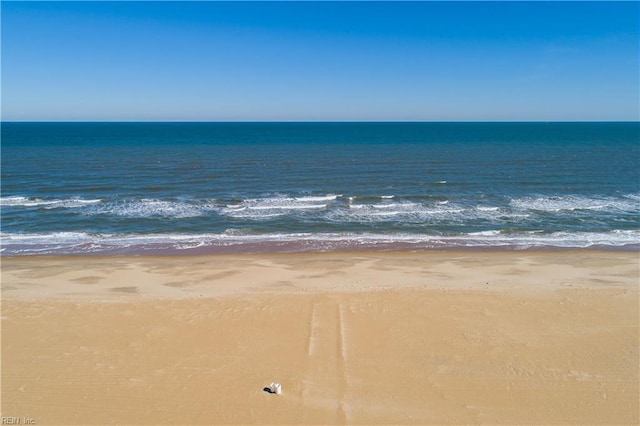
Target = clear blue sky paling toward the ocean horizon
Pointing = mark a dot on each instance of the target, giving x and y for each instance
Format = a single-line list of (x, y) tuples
[(320, 61)]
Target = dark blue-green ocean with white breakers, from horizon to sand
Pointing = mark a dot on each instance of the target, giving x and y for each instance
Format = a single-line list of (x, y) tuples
[(193, 188)]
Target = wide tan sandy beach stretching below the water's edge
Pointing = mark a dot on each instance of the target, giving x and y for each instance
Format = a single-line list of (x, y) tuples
[(357, 338)]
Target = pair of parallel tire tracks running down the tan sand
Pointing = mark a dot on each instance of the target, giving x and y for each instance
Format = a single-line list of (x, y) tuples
[(326, 383)]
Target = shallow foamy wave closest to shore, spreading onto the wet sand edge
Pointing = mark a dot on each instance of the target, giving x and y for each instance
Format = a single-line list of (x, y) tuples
[(236, 240)]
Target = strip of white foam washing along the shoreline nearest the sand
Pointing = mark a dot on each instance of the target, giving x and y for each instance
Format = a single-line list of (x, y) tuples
[(72, 242)]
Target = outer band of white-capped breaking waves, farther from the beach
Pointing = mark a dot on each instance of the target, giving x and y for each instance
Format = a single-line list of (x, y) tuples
[(337, 208)]
